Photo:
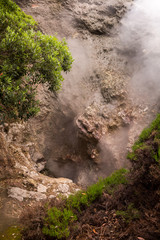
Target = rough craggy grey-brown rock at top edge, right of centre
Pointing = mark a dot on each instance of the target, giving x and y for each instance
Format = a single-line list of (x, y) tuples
[(98, 18)]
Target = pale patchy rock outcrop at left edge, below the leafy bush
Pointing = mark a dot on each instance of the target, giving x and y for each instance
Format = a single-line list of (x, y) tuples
[(20, 182)]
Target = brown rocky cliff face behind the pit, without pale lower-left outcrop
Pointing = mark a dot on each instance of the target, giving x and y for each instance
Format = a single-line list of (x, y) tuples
[(73, 127)]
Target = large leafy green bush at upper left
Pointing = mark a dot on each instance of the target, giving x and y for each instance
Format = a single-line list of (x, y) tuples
[(27, 58)]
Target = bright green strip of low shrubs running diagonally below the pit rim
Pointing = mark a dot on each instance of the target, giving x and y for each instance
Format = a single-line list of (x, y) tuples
[(57, 222)]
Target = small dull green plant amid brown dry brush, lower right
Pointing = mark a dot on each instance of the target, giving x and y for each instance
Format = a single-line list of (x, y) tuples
[(130, 214)]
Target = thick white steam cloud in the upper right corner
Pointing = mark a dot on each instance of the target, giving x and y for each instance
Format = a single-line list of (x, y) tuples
[(140, 36)]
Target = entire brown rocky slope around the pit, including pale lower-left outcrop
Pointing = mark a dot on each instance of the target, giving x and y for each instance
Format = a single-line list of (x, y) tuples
[(83, 131)]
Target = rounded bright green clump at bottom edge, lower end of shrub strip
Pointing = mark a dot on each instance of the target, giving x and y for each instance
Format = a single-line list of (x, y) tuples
[(57, 222)]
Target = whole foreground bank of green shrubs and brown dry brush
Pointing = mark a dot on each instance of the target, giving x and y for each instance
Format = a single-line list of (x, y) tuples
[(113, 208)]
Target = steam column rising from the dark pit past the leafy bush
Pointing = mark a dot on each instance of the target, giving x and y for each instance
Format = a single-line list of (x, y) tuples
[(65, 147)]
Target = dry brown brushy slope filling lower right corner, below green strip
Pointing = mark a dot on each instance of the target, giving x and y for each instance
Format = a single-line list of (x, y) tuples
[(132, 212)]
